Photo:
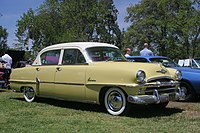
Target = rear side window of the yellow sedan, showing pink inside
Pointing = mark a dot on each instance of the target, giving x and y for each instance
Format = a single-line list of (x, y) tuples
[(50, 57)]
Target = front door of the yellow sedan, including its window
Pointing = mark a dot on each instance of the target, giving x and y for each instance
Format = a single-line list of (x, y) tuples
[(70, 75)]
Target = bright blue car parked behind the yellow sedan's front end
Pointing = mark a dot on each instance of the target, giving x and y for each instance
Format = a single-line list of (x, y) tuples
[(190, 82)]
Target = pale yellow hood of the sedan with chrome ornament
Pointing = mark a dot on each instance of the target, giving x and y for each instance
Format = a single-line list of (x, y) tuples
[(151, 70)]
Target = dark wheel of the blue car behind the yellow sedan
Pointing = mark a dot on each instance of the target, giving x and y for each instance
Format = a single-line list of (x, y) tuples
[(188, 91)]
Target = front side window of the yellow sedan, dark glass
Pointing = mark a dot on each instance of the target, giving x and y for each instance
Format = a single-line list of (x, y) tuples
[(72, 56)]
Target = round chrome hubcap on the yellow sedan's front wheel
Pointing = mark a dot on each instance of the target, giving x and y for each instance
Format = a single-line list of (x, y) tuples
[(115, 101)]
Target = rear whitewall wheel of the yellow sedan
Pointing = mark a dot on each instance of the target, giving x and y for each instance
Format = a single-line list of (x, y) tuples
[(29, 94)]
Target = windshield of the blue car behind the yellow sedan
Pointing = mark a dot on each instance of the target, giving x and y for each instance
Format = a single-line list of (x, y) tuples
[(165, 62)]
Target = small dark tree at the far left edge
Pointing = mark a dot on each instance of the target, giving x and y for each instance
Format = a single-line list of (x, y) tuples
[(3, 38)]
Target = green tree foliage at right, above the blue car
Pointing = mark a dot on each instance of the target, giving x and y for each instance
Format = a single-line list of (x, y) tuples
[(172, 27)]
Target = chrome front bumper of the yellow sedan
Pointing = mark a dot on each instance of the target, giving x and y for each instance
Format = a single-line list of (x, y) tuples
[(155, 98)]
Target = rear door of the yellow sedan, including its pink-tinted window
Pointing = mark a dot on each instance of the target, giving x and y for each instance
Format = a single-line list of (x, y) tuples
[(45, 73)]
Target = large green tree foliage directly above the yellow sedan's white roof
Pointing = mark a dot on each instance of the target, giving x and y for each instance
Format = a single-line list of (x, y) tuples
[(57, 21)]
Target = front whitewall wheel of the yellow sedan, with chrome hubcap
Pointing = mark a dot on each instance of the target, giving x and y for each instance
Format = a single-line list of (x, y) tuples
[(115, 102)]
